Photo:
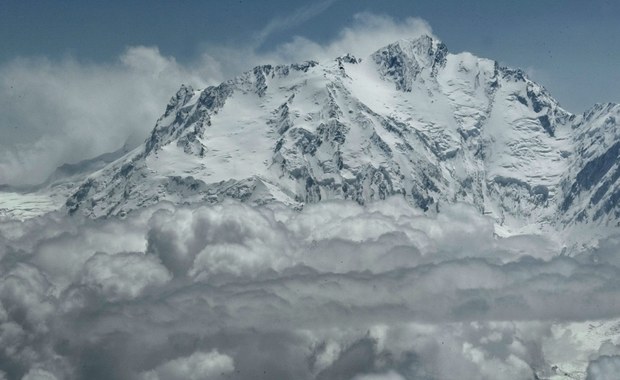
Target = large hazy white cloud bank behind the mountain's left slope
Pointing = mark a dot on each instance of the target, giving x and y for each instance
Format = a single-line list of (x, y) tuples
[(53, 112)]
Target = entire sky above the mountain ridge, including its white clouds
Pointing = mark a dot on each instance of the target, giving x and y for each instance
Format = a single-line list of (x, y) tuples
[(82, 78)]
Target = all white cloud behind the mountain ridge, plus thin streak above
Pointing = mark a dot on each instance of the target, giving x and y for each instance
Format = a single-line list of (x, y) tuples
[(63, 111)]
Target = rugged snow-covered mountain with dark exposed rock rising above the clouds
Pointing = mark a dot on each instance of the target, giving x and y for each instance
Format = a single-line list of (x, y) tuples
[(411, 119)]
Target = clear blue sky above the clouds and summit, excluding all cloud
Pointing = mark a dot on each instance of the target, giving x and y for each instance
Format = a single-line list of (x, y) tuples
[(572, 47)]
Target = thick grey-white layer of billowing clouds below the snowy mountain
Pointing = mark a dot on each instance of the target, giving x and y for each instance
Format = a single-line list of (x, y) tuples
[(336, 291)]
